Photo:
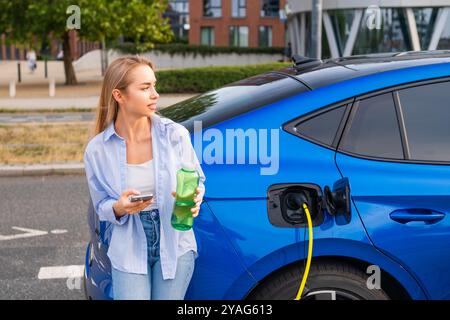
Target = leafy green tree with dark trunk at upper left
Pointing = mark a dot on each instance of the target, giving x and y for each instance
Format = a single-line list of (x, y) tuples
[(100, 20)]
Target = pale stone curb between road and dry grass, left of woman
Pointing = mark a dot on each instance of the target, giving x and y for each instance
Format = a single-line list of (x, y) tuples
[(41, 170)]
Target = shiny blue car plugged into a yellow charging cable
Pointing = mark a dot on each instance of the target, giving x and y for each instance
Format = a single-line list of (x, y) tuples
[(364, 141)]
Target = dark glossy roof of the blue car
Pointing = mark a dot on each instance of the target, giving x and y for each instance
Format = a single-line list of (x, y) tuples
[(331, 71)]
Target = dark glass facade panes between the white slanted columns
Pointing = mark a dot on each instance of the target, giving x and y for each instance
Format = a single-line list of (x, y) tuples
[(390, 33)]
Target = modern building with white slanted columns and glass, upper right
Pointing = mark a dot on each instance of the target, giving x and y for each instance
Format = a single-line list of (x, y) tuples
[(353, 27)]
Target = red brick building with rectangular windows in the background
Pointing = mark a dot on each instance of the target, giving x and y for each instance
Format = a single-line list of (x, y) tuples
[(239, 23)]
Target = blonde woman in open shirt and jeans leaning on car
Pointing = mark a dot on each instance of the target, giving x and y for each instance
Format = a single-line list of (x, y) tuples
[(135, 151)]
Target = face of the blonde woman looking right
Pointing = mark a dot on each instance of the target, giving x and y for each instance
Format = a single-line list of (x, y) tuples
[(140, 97)]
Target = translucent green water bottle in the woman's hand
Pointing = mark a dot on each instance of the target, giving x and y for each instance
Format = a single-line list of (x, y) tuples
[(187, 181)]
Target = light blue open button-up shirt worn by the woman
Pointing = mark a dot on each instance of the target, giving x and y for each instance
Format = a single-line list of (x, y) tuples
[(106, 173)]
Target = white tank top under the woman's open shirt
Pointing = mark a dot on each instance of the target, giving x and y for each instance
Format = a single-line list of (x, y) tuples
[(142, 178)]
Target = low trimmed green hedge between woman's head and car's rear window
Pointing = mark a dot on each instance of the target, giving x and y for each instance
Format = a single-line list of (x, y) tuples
[(199, 80)]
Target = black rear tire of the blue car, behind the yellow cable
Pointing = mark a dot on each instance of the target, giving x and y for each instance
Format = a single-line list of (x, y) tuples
[(326, 281)]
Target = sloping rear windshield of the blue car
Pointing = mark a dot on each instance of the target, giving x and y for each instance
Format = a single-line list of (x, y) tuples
[(232, 100)]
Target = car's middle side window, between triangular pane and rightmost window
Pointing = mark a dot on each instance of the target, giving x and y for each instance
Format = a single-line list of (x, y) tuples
[(373, 129)]
